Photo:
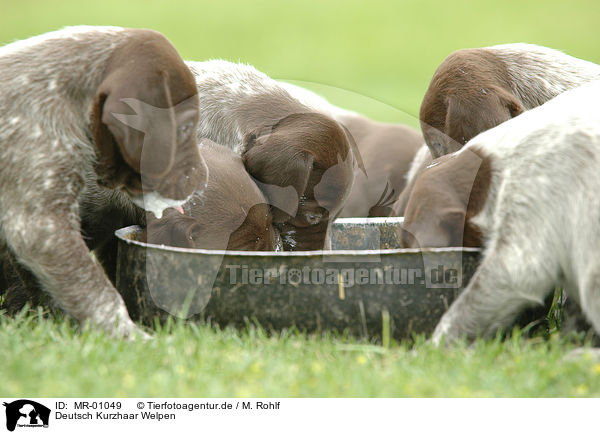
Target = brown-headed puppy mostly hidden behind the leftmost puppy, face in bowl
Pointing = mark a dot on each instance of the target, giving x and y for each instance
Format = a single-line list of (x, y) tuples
[(231, 213)]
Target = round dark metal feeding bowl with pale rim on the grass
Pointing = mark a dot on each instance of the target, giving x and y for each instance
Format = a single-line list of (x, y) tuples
[(361, 281)]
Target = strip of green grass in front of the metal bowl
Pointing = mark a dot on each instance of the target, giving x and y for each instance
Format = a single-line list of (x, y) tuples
[(50, 357)]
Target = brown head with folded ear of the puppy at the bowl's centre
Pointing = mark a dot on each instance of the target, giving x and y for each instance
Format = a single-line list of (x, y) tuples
[(311, 153)]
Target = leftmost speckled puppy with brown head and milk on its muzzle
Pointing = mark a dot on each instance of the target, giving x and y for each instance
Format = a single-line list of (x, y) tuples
[(80, 104)]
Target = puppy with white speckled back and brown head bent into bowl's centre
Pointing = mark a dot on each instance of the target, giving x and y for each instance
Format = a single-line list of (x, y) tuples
[(284, 143)]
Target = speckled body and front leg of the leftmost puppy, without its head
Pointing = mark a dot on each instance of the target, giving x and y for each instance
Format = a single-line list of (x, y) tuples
[(47, 88)]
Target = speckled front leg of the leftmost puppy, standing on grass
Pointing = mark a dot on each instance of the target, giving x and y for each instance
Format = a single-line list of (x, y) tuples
[(53, 249)]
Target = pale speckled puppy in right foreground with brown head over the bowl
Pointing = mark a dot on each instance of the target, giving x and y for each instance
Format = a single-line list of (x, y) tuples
[(536, 208)]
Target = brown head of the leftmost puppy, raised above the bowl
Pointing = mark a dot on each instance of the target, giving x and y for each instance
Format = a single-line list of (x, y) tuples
[(147, 68)]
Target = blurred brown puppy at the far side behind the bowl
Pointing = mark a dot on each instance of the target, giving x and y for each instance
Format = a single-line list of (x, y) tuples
[(386, 150)]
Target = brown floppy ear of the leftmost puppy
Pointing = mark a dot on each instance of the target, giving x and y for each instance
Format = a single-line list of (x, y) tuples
[(146, 138)]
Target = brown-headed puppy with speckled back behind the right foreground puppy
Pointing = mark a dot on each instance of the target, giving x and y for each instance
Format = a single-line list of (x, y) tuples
[(476, 89)]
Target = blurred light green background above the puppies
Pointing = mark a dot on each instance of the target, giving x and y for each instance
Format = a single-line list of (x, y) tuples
[(374, 57)]
